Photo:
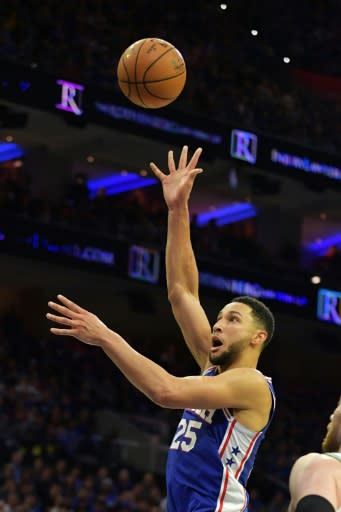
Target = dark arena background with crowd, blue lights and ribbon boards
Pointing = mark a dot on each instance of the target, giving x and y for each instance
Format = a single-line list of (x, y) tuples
[(80, 215)]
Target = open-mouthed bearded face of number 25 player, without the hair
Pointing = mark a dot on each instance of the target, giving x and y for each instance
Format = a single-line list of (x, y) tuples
[(231, 333)]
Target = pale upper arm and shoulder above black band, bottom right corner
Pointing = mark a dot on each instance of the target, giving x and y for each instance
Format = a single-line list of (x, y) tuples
[(312, 484)]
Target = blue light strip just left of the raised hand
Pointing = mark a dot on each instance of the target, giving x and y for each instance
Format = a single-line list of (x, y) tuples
[(118, 183)]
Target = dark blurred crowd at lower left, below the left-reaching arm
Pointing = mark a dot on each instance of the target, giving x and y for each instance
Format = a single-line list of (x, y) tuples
[(53, 457)]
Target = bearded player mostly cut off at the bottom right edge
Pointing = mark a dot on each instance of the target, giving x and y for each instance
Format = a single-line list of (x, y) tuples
[(315, 479)]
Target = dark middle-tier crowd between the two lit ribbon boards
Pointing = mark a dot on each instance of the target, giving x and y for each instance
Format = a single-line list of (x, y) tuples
[(141, 216)]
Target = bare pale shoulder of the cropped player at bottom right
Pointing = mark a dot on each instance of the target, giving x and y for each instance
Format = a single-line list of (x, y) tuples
[(312, 474)]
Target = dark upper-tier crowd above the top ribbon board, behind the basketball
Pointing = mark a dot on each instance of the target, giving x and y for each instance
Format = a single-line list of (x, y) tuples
[(232, 76)]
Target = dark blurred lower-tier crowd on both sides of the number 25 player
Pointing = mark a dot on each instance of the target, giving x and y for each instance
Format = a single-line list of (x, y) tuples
[(54, 457)]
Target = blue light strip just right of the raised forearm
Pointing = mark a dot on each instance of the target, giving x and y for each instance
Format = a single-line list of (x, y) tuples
[(227, 214)]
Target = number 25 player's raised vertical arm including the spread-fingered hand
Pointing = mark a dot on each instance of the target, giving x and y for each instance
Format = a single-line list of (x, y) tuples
[(181, 268)]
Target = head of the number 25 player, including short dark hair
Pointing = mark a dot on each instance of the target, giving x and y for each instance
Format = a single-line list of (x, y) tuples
[(244, 323)]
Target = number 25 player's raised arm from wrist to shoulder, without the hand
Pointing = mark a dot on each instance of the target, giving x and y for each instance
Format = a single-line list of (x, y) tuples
[(183, 285)]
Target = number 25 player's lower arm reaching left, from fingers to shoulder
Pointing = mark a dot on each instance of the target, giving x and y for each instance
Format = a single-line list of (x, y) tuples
[(242, 388)]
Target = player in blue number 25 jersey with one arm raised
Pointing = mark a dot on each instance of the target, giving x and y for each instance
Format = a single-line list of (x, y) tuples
[(228, 407)]
